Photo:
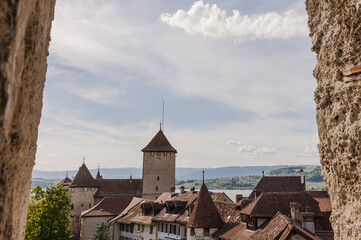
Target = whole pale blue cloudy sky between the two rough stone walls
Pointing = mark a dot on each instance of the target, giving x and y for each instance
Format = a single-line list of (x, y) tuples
[(235, 75)]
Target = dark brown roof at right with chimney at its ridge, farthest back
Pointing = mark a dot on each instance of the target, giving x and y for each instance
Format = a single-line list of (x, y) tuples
[(278, 184)]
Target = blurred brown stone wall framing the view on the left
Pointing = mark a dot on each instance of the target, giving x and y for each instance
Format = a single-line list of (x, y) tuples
[(24, 41)]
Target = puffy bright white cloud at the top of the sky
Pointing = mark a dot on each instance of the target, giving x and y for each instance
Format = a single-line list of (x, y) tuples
[(211, 21)]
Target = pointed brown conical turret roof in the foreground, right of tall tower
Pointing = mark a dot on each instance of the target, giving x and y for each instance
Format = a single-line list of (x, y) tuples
[(205, 213)]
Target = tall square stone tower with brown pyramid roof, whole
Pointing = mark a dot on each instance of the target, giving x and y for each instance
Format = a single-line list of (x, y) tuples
[(158, 166)]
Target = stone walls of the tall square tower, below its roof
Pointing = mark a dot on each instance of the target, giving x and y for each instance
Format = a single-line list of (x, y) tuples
[(158, 173)]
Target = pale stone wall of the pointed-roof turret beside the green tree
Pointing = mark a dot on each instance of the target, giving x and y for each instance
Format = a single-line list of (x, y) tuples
[(81, 200)]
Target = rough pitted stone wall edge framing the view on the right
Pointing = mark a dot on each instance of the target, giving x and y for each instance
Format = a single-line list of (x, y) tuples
[(335, 29)]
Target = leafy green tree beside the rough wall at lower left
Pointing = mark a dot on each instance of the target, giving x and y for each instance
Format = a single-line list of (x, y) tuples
[(48, 214)]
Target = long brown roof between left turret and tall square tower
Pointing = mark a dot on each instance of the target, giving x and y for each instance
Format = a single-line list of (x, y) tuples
[(119, 187)]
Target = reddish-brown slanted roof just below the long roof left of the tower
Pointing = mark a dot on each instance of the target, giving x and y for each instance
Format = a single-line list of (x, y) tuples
[(108, 206)]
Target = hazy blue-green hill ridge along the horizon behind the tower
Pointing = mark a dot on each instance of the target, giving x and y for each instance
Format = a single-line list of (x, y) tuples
[(181, 173)]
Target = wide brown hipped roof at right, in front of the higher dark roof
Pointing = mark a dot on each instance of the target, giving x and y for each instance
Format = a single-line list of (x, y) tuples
[(268, 204)]
